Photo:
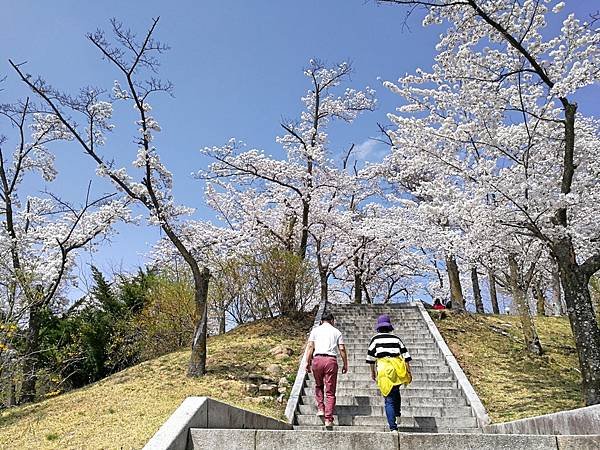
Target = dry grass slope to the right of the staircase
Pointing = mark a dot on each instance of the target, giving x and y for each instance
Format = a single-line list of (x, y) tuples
[(512, 383)]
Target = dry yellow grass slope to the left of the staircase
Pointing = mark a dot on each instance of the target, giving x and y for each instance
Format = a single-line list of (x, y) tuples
[(126, 409)]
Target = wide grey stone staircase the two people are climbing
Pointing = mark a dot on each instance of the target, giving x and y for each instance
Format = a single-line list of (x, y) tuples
[(434, 402)]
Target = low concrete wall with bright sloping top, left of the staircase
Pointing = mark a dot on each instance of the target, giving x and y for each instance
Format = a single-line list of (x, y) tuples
[(206, 413)]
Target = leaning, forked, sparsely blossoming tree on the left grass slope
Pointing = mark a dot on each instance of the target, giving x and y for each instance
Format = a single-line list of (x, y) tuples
[(136, 62)]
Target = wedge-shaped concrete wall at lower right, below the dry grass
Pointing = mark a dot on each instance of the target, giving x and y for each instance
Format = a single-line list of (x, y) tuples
[(581, 421)]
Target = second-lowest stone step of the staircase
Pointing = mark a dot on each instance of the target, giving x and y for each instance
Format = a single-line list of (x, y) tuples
[(379, 411)]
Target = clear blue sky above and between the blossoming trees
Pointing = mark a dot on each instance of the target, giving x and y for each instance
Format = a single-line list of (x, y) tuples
[(237, 70)]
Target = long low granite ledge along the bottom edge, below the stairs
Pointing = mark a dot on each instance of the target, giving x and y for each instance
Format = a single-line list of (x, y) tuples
[(357, 440)]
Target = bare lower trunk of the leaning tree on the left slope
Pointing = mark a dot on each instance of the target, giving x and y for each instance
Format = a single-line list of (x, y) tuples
[(197, 365)]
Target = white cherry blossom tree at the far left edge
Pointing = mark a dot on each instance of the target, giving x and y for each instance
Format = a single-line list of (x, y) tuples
[(40, 237)]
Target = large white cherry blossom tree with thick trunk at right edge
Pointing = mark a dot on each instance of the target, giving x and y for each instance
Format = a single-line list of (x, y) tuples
[(498, 109)]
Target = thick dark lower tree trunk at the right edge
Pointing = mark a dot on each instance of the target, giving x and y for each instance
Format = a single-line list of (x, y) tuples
[(581, 315)]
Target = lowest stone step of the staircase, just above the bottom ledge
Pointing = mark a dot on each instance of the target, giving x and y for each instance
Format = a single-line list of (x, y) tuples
[(416, 422)]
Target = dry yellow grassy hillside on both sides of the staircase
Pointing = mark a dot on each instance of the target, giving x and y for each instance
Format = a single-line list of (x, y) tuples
[(126, 409)]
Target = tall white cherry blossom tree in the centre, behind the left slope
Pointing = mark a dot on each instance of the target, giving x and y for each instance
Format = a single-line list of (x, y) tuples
[(295, 198)]
